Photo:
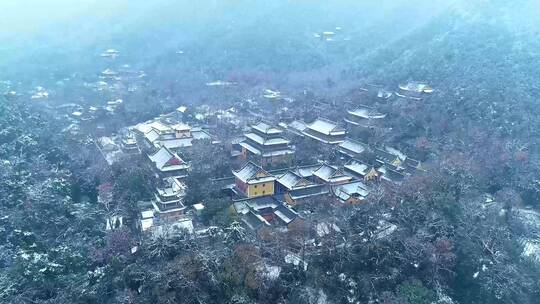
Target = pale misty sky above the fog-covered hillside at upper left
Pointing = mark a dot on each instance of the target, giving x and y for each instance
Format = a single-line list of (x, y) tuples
[(30, 16)]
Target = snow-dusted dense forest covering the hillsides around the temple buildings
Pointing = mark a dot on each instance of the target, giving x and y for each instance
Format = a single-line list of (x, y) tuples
[(462, 226)]
